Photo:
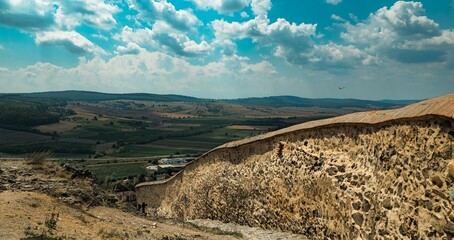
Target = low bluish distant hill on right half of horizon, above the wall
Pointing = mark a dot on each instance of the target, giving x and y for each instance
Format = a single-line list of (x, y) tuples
[(291, 101)]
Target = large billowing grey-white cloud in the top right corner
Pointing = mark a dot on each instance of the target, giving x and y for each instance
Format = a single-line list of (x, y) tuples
[(402, 33)]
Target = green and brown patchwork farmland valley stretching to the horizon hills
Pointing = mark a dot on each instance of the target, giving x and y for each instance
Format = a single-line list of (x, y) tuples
[(129, 131)]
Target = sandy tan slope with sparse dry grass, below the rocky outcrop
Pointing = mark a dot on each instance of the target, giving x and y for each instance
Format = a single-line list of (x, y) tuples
[(24, 214)]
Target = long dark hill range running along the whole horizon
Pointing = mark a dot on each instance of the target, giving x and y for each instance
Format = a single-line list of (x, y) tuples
[(273, 101)]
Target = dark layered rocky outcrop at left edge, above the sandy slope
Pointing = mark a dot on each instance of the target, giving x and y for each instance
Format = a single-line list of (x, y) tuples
[(70, 185)]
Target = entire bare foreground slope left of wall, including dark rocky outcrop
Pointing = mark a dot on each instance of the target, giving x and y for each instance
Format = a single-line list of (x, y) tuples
[(52, 202)]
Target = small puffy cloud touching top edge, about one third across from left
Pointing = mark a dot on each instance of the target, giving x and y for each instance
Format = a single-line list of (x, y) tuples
[(151, 10)]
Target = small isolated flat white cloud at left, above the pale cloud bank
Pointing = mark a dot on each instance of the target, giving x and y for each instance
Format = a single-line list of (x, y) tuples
[(71, 40)]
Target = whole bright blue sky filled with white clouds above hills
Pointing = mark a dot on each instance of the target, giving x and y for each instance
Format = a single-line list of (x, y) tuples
[(374, 49)]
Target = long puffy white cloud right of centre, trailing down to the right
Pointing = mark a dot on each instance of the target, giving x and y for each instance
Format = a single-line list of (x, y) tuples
[(292, 42)]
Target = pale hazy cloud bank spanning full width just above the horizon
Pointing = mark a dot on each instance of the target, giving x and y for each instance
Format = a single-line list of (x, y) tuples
[(228, 77)]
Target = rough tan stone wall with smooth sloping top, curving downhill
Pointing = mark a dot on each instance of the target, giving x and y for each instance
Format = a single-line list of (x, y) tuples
[(381, 174)]
